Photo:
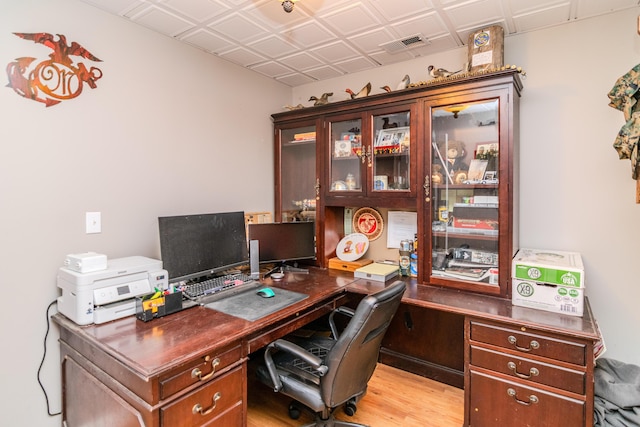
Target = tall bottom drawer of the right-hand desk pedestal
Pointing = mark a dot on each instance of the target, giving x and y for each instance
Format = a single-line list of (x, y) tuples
[(496, 402)]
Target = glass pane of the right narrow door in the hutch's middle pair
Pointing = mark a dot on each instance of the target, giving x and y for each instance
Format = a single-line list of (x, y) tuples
[(390, 157)]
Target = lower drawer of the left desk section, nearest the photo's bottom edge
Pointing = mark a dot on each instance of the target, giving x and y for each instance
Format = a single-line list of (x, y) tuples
[(206, 403)]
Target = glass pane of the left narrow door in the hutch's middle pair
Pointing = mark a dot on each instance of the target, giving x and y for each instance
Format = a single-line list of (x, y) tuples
[(347, 156)]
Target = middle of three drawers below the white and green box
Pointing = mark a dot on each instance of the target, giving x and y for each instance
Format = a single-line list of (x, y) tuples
[(531, 370)]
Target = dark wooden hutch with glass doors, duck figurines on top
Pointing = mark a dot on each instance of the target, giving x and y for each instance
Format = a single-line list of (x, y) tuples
[(390, 151)]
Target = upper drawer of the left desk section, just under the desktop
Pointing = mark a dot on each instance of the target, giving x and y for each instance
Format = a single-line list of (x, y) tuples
[(200, 371)]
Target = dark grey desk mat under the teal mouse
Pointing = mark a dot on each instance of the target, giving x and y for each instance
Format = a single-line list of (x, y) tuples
[(250, 306)]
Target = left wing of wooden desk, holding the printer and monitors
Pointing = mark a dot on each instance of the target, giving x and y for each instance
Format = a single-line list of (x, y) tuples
[(186, 369)]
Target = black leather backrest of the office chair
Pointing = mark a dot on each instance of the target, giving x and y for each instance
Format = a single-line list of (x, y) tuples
[(354, 356)]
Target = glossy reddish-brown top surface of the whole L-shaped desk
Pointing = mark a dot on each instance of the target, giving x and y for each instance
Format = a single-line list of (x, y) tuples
[(169, 341)]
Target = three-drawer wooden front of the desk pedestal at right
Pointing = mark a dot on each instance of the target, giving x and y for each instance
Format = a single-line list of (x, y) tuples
[(522, 376)]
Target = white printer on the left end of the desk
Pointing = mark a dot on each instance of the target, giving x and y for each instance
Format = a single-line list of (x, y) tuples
[(109, 294)]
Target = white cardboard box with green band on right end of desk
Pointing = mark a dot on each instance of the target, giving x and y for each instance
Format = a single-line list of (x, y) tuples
[(548, 280)]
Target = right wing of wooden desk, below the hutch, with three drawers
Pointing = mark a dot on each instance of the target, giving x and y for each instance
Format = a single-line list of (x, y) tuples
[(520, 366)]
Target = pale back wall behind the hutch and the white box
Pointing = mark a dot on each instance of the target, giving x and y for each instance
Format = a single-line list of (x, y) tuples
[(575, 194)]
